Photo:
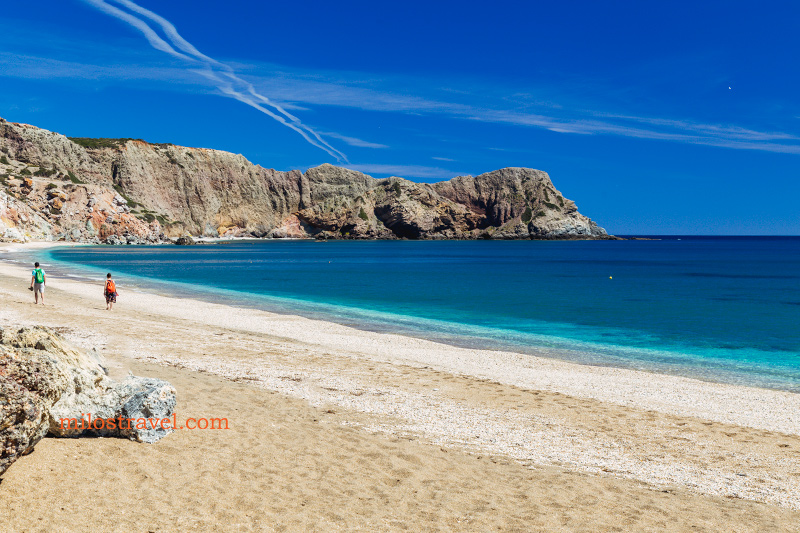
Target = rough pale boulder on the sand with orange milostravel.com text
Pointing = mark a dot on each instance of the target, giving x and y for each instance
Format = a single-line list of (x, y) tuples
[(45, 380)]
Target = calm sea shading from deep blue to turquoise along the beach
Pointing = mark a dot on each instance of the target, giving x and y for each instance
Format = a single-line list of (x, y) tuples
[(723, 309)]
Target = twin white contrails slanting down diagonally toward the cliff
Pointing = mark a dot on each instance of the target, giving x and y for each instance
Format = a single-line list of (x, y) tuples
[(235, 87)]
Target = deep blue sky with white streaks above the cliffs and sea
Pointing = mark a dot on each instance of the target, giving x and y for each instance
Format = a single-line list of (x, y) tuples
[(657, 117)]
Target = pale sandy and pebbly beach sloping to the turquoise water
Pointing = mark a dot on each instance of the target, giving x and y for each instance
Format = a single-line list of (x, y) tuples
[(334, 428)]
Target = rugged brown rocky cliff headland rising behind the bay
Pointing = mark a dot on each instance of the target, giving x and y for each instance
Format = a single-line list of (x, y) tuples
[(124, 190)]
